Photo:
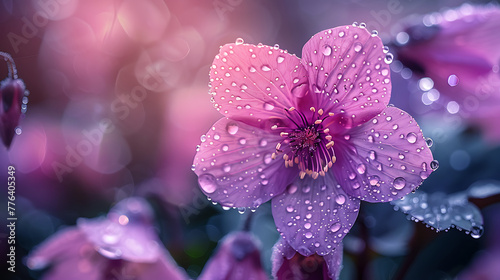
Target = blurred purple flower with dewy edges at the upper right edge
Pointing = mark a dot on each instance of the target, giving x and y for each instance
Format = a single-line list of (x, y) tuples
[(456, 54)]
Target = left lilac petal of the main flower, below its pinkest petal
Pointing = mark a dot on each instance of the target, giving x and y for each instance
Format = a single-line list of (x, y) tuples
[(235, 167)]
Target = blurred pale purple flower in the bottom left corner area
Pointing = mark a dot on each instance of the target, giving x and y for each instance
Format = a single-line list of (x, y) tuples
[(123, 244)]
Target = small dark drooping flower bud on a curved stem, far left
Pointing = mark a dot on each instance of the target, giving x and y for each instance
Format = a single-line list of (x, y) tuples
[(12, 91)]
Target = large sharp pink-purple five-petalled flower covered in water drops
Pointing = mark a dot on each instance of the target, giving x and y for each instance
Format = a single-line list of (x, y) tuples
[(315, 135)]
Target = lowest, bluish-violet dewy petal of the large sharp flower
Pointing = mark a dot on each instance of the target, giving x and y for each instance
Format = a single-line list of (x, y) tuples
[(314, 215)]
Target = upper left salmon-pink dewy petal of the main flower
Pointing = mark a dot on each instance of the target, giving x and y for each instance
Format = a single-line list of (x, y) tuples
[(251, 82)]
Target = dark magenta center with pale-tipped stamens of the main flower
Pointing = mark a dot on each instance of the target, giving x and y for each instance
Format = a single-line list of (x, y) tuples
[(308, 145)]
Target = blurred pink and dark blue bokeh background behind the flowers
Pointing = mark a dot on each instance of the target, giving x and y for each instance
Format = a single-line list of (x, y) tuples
[(118, 102)]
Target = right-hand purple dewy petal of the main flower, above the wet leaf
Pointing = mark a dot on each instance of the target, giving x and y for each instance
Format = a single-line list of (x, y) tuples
[(383, 159)]
